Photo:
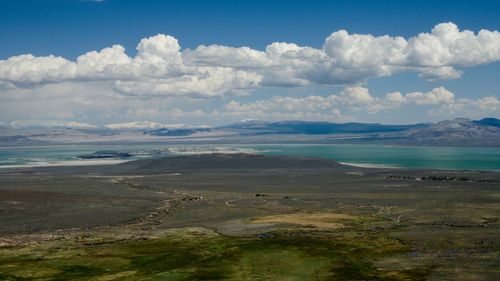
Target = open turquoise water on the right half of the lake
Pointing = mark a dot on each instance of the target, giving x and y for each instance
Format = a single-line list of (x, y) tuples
[(398, 156)]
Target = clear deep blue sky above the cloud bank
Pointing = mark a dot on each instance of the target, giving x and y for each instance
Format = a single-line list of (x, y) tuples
[(42, 26)]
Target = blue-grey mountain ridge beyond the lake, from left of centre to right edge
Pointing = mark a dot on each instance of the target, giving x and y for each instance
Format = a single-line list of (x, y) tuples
[(457, 132)]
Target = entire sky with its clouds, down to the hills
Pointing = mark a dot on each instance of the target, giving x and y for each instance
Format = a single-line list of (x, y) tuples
[(120, 63)]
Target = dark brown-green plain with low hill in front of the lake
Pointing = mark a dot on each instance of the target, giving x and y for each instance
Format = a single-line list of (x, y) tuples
[(247, 217)]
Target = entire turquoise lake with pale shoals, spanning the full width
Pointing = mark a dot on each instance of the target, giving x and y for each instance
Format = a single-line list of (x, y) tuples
[(467, 158)]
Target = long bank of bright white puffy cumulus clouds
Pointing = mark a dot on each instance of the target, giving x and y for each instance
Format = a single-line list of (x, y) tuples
[(162, 68)]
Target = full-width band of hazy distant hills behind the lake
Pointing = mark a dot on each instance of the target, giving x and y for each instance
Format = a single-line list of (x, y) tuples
[(457, 132)]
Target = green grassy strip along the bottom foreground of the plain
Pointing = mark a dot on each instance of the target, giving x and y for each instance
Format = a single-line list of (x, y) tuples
[(284, 255)]
